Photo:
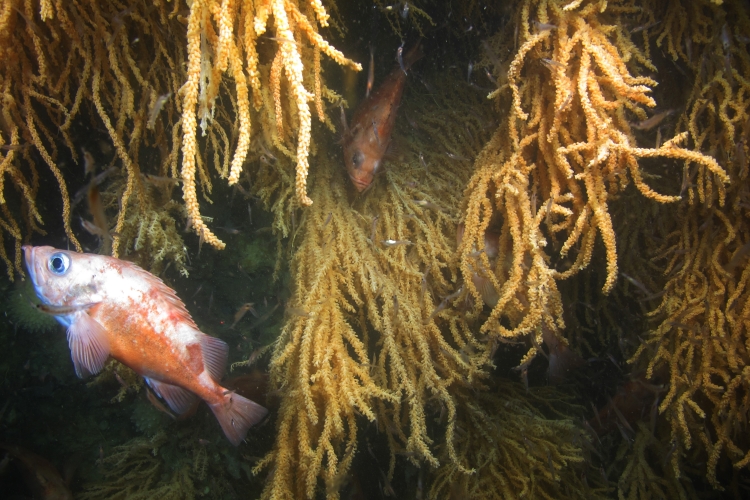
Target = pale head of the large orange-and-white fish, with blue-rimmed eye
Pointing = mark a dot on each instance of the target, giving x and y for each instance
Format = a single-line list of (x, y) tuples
[(62, 277)]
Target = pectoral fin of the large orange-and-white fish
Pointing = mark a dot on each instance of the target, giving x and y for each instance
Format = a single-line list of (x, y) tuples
[(89, 346)]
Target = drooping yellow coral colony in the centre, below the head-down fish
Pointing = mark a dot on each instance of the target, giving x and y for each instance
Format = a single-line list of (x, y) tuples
[(367, 335)]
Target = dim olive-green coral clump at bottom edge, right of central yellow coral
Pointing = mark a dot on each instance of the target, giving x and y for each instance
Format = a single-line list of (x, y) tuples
[(517, 445)]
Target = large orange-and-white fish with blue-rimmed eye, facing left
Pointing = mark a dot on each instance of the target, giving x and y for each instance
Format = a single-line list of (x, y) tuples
[(114, 308)]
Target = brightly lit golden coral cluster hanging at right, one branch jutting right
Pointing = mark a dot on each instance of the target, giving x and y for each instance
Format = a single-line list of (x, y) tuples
[(545, 190)]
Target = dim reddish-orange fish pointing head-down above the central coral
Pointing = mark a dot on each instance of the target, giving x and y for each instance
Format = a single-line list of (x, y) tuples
[(367, 141)]
